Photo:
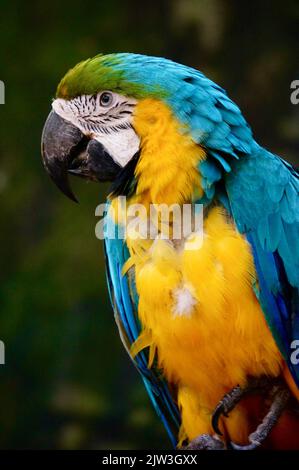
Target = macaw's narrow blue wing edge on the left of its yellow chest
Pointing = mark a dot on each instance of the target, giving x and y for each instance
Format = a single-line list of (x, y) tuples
[(124, 301)]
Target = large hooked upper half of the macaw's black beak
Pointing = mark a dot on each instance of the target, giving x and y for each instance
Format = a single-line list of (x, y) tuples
[(60, 142)]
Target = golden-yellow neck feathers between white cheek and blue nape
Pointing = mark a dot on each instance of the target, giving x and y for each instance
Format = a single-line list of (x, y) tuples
[(167, 168)]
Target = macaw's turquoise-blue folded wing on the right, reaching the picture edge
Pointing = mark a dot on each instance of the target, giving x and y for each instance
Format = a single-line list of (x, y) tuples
[(263, 192)]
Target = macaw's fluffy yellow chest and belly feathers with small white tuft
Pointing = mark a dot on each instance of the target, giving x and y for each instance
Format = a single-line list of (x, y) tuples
[(201, 320)]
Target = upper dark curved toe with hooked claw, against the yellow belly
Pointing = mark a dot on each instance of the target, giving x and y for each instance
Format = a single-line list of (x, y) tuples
[(234, 396)]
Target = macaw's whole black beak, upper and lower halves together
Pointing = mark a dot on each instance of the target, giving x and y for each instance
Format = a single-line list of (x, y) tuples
[(66, 150)]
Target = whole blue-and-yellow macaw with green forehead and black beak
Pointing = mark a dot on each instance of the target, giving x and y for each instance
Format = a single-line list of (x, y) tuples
[(212, 330)]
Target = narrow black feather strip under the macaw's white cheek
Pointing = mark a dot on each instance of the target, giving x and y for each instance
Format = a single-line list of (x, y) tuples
[(125, 182)]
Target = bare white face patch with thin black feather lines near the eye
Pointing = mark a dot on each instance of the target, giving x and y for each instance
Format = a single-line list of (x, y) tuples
[(110, 125)]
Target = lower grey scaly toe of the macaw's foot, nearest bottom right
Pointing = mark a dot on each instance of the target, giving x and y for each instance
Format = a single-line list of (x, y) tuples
[(281, 397)]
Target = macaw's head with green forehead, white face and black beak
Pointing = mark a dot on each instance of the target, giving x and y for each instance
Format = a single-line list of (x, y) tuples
[(90, 131)]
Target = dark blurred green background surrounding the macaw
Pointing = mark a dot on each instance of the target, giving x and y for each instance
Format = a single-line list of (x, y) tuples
[(67, 382)]
